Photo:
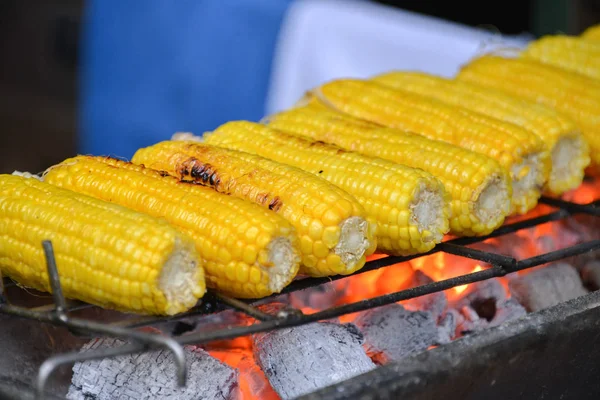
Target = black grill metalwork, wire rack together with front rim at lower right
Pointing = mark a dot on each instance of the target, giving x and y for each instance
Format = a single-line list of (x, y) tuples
[(564, 333)]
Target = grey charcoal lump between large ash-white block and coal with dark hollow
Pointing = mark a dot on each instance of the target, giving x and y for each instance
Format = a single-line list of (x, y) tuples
[(392, 332)]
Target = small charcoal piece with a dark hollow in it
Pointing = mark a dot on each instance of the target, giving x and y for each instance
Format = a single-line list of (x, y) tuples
[(477, 317)]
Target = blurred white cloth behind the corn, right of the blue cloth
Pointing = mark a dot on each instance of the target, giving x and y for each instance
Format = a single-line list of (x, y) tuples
[(322, 40)]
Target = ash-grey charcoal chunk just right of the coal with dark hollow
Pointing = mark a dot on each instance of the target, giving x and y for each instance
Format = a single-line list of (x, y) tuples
[(546, 287)]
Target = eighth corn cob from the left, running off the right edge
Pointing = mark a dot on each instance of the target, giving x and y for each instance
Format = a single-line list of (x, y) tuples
[(576, 96)]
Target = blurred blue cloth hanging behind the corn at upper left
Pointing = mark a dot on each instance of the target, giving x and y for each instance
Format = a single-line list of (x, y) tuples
[(154, 67)]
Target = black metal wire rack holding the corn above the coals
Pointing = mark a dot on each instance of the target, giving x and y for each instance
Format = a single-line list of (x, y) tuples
[(59, 313)]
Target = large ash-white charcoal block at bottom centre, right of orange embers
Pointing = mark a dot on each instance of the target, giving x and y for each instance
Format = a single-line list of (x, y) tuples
[(305, 358)]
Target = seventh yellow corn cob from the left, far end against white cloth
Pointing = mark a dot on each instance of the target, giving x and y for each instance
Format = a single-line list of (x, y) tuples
[(569, 152)]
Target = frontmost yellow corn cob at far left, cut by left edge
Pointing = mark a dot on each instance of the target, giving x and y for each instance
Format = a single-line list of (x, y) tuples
[(106, 254)]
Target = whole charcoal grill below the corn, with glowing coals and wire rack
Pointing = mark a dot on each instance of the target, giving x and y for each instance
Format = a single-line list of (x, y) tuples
[(515, 314)]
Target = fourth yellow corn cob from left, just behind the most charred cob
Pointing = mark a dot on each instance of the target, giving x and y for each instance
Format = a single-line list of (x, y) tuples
[(382, 187)]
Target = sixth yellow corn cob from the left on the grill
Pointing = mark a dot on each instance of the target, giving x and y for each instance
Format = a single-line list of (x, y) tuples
[(513, 147)]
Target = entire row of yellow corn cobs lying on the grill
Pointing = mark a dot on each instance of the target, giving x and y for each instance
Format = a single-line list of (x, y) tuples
[(392, 164)]
